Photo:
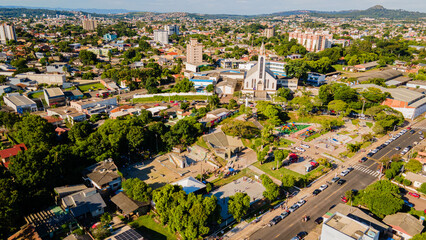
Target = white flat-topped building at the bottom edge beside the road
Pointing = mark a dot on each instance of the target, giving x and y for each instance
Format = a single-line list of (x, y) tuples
[(341, 227)]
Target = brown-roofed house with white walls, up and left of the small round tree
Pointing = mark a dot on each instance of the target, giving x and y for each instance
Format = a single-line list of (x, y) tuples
[(103, 175)]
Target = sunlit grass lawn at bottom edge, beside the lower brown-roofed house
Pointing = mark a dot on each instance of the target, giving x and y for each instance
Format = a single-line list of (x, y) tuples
[(151, 229)]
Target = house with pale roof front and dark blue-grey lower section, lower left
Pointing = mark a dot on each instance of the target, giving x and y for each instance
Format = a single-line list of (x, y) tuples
[(84, 204)]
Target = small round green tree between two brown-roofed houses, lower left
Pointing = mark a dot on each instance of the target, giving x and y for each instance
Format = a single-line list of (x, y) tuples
[(137, 189)]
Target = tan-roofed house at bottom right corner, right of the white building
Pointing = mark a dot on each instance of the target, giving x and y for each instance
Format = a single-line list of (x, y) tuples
[(404, 224)]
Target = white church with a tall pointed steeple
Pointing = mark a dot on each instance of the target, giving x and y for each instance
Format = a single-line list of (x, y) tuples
[(260, 82)]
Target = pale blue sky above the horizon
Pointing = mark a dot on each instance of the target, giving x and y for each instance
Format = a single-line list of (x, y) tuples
[(242, 7)]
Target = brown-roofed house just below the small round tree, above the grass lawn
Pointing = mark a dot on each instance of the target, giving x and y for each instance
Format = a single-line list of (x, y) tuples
[(128, 206)]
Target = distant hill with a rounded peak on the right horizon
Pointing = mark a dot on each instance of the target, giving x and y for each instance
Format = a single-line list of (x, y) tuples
[(377, 11)]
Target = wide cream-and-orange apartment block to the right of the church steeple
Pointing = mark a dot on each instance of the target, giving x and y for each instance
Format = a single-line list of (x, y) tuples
[(313, 42)]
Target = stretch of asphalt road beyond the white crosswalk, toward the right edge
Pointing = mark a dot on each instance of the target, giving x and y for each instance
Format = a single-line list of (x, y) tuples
[(402, 142)]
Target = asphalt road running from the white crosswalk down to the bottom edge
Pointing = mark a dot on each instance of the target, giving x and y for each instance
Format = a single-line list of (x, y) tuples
[(316, 206)]
